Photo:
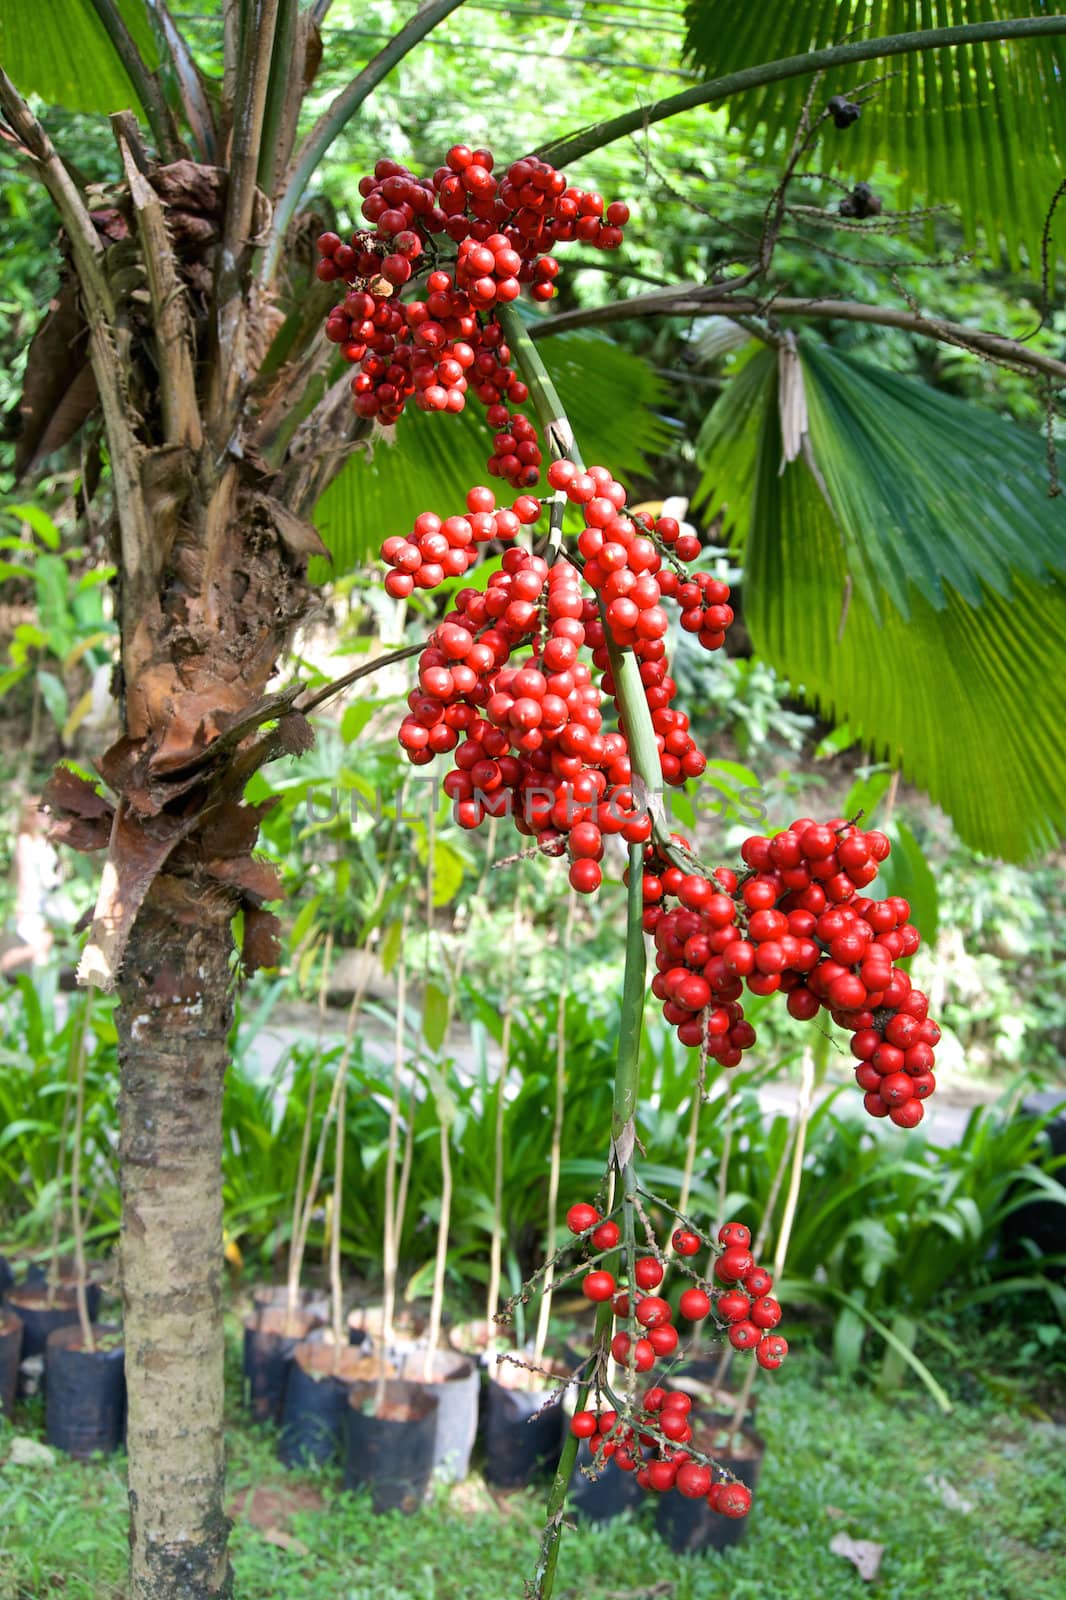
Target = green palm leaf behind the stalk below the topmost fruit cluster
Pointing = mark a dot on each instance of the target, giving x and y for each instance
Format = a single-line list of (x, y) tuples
[(609, 396)]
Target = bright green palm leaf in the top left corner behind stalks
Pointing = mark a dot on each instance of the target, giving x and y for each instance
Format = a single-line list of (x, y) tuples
[(70, 60)]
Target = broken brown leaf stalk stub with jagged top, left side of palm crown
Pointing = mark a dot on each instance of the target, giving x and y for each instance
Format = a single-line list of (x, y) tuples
[(170, 313)]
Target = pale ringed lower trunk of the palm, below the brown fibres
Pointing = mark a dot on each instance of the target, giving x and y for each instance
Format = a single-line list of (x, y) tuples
[(174, 1022)]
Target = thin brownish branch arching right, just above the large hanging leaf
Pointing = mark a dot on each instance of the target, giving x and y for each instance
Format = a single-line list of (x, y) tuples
[(710, 302)]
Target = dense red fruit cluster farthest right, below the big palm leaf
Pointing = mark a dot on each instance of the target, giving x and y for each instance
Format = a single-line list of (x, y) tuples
[(796, 922)]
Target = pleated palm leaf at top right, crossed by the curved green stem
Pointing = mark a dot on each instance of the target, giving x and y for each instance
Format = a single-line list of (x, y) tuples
[(980, 126)]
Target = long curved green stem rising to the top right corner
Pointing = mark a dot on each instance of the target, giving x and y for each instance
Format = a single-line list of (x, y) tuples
[(601, 134)]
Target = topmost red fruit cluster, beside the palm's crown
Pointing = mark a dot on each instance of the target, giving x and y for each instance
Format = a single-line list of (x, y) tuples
[(438, 348)]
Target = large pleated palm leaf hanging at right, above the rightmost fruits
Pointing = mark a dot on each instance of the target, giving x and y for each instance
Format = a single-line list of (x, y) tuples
[(920, 602)]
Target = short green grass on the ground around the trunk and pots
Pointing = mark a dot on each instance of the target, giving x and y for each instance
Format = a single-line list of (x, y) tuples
[(841, 1460)]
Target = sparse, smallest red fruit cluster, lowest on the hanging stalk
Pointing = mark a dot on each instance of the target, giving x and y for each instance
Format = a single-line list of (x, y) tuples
[(654, 1442)]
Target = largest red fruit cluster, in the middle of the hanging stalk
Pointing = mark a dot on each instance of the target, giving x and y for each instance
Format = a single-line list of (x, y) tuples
[(529, 735)]
